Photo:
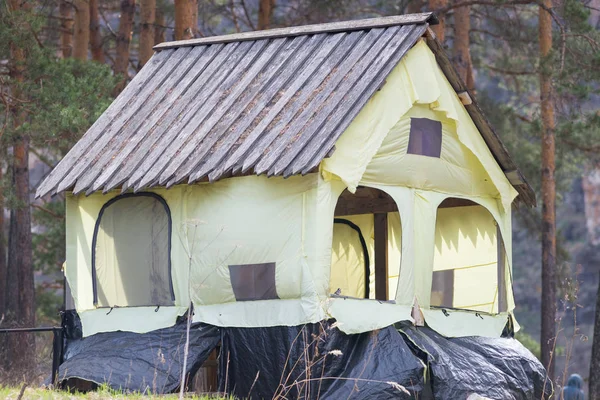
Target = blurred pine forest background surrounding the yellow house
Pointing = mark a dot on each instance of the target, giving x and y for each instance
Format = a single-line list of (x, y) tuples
[(534, 67)]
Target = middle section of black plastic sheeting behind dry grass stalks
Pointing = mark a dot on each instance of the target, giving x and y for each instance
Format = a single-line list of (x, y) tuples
[(298, 362)]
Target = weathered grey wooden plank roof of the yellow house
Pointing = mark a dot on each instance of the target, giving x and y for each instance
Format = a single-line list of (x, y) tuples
[(270, 102)]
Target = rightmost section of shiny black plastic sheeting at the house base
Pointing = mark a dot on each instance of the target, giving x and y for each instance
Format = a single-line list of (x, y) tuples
[(497, 368)]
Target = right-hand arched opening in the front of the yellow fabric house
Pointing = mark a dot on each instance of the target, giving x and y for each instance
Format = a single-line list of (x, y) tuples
[(469, 265)]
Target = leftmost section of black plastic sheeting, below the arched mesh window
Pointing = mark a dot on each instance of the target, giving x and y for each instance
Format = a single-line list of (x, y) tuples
[(147, 362)]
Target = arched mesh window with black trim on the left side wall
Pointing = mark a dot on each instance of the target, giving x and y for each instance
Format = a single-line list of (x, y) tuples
[(131, 260)]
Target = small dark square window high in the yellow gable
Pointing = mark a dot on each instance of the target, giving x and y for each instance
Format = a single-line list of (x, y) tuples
[(425, 137)]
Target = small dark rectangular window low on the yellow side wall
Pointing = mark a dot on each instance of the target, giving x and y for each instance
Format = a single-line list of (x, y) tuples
[(253, 281)]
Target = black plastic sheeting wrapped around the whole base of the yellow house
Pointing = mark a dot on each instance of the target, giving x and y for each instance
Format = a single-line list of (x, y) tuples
[(403, 362)]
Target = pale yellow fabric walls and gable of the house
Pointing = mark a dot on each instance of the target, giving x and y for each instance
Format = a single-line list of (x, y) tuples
[(255, 221)]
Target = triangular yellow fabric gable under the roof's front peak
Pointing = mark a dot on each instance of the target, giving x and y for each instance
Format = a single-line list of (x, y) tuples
[(416, 80)]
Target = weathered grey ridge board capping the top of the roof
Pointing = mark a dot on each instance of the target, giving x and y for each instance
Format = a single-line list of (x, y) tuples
[(343, 26)]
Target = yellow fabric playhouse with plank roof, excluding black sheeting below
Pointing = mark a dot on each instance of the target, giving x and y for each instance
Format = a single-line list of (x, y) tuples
[(290, 176)]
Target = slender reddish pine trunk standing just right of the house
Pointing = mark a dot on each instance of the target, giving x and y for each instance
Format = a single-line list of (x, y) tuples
[(548, 331)]
